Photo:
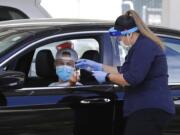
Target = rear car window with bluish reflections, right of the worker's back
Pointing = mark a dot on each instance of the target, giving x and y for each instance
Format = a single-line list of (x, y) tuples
[(173, 58)]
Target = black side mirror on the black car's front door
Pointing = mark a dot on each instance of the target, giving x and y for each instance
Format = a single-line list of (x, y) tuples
[(11, 79)]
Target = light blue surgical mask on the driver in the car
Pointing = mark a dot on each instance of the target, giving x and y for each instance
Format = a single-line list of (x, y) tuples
[(64, 72)]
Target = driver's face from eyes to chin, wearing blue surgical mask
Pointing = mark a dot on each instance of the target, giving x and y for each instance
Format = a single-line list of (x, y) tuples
[(64, 69)]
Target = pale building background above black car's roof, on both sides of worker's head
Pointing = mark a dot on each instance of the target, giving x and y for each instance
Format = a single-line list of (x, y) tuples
[(155, 12)]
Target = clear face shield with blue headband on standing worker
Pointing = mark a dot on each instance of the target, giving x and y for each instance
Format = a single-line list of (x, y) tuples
[(118, 47)]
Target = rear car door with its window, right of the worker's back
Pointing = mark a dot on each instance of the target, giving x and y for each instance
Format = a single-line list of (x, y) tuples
[(172, 48)]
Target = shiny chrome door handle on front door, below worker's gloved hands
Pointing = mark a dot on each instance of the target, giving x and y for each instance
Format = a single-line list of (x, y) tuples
[(95, 101)]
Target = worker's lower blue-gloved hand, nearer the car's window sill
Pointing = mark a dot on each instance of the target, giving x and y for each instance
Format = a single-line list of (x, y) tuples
[(100, 76)]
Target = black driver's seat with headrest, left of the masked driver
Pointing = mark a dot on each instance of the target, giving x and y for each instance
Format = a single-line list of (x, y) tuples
[(45, 69)]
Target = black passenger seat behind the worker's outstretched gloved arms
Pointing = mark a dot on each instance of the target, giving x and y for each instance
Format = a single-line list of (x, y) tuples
[(86, 77)]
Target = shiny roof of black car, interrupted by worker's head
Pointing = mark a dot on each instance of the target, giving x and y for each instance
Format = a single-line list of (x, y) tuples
[(61, 22)]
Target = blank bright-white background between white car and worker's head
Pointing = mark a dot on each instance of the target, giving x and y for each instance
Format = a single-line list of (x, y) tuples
[(88, 9)]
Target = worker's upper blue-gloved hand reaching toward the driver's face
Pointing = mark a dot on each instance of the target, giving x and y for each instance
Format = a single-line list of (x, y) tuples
[(88, 65)]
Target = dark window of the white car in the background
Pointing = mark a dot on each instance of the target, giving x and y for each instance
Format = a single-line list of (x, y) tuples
[(8, 13)]
